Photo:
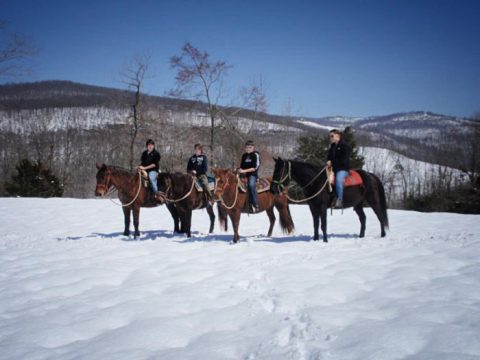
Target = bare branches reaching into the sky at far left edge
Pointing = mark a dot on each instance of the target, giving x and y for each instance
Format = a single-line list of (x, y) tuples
[(14, 49)]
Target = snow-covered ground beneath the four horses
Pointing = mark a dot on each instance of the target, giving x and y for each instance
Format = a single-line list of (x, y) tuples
[(71, 287)]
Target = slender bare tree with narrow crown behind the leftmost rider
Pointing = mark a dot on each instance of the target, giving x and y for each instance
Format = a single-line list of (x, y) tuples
[(134, 77)]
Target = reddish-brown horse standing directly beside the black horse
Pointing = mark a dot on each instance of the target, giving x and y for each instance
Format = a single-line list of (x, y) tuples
[(233, 201)]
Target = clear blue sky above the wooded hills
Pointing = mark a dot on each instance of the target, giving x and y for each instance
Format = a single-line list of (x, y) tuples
[(329, 57)]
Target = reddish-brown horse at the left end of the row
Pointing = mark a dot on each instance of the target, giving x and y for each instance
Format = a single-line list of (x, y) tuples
[(132, 194)]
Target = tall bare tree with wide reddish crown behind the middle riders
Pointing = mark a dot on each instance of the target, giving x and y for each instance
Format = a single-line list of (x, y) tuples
[(198, 77)]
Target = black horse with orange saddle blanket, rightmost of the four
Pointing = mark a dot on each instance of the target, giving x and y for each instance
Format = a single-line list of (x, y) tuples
[(313, 180)]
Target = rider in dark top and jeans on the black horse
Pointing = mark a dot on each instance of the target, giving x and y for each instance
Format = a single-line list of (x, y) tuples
[(339, 159)]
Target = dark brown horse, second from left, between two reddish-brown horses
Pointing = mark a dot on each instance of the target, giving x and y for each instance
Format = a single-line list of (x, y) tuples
[(179, 192)]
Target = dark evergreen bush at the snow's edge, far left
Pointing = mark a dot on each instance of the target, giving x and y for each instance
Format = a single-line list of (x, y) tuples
[(33, 180)]
